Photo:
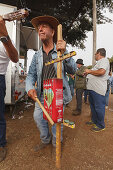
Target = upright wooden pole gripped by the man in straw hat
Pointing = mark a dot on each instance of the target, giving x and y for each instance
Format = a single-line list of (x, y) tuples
[(58, 125)]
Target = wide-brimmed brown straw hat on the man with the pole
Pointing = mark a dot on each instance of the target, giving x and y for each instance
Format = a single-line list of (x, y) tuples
[(52, 21)]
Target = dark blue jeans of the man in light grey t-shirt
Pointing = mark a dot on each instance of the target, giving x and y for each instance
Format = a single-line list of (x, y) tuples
[(97, 105)]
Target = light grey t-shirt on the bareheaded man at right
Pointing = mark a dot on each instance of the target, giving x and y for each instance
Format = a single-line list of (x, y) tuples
[(99, 83)]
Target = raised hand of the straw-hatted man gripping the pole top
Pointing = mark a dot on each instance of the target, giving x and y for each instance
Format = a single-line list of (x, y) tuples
[(61, 46)]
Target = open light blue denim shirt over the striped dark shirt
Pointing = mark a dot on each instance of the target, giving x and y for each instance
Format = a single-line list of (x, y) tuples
[(35, 73)]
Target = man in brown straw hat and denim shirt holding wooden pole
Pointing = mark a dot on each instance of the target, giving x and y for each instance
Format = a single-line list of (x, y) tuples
[(46, 27)]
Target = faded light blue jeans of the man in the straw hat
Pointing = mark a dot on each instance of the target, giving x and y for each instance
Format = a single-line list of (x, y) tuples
[(43, 127)]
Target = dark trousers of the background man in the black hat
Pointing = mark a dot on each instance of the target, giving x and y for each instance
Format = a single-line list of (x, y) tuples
[(79, 93)]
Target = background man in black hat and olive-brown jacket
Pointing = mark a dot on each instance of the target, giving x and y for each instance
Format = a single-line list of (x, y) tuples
[(80, 85)]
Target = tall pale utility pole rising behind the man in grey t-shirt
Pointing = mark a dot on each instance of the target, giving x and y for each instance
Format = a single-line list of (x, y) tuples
[(94, 31)]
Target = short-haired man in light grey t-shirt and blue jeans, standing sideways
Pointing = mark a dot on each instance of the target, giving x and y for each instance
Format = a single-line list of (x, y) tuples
[(97, 86)]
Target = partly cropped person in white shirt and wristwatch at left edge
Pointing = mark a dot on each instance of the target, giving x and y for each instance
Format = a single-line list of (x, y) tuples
[(7, 52)]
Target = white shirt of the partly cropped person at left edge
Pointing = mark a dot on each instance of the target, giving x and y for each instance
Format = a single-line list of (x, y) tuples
[(4, 59)]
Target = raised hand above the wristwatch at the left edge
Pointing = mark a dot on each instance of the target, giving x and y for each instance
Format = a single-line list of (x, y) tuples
[(3, 30)]
